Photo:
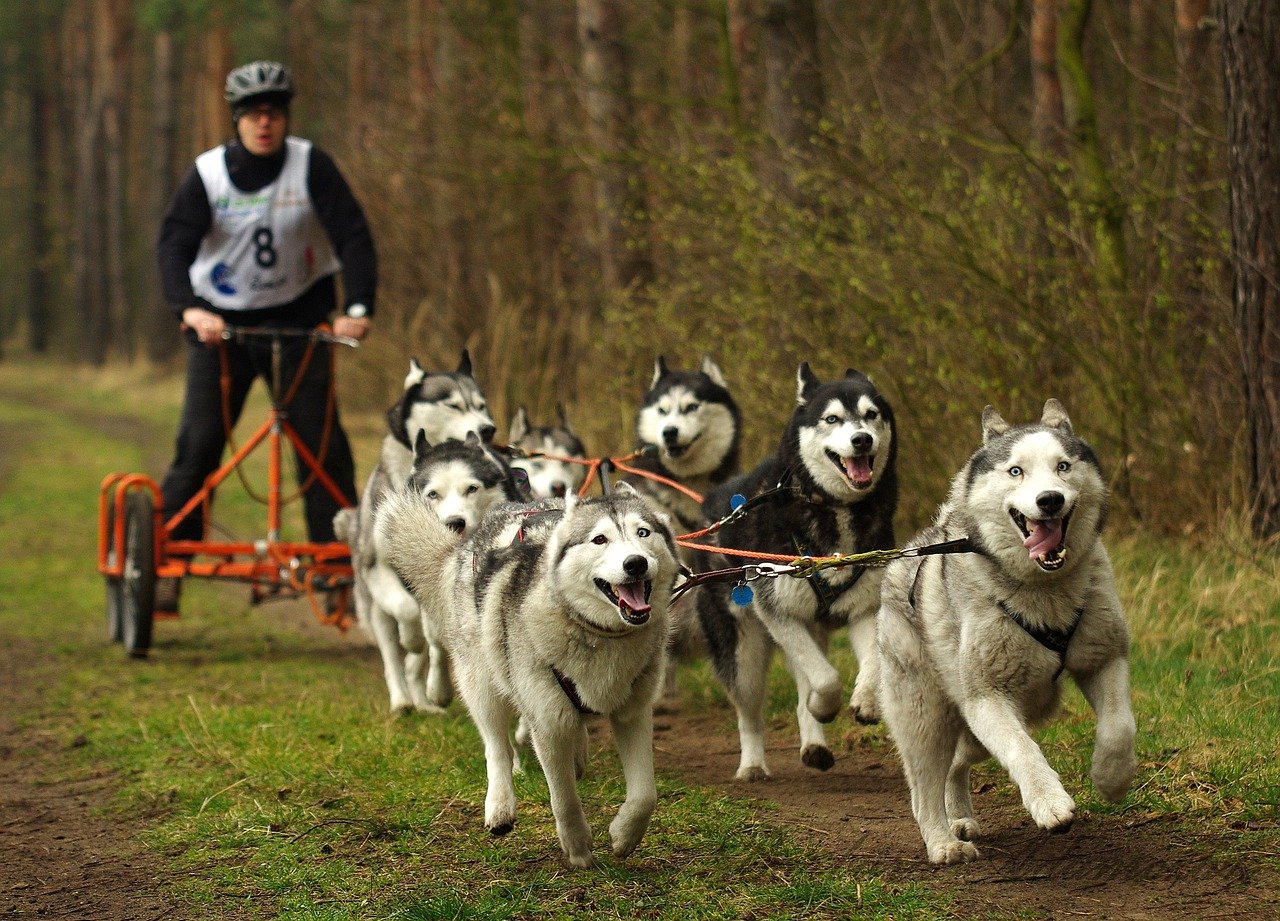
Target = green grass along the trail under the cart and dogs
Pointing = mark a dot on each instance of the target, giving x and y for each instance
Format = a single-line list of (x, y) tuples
[(275, 785)]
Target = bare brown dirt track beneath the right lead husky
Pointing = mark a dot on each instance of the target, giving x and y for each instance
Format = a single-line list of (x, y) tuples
[(860, 812)]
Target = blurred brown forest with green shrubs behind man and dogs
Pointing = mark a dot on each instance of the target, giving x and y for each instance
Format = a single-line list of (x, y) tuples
[(972, 201)]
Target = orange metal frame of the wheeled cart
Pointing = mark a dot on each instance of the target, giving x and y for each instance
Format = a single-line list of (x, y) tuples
[(271, 566)]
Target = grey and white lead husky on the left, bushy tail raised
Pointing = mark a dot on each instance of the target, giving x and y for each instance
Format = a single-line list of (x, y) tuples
[(552, 611)]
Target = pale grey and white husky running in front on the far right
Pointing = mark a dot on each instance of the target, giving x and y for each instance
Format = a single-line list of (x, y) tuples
[(973, 645)]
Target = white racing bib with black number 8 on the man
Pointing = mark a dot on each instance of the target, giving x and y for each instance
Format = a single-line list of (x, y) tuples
[(267, 248)]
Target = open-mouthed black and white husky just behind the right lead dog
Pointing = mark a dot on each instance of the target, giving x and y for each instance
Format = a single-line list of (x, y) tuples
[(836, 465)]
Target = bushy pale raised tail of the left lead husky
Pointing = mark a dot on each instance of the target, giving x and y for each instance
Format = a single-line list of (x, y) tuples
[(413, 540)]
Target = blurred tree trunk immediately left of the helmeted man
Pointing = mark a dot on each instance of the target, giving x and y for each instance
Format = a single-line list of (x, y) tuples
[(158, 327)]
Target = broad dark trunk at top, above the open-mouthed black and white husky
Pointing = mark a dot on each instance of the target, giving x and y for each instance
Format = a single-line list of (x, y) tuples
[(793, 86)]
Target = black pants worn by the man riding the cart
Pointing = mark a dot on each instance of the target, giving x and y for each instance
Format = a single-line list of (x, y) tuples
[(203, 436)]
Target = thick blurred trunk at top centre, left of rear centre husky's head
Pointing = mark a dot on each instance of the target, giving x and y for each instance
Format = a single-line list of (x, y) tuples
[(611, 126)]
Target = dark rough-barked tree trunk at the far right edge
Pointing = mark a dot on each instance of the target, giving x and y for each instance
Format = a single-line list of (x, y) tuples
[(1251, 75)]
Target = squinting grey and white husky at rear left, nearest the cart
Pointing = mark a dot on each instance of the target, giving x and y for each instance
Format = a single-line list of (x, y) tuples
[(438, 406)]
